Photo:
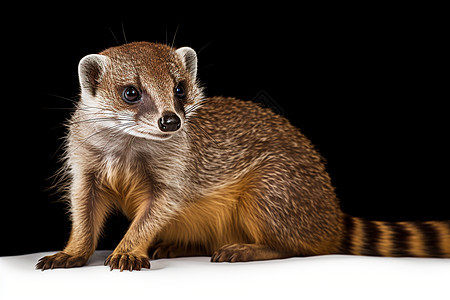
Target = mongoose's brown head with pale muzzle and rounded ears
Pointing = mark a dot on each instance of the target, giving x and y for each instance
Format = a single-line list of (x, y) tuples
[(143, 89)]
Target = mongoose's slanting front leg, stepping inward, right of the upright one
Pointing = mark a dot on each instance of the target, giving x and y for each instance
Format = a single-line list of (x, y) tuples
[(132, 252)]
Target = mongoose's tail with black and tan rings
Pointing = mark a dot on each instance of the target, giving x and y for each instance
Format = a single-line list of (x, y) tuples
[(378, 238)]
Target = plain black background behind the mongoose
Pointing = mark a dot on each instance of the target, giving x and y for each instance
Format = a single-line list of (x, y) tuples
[(368, 86)]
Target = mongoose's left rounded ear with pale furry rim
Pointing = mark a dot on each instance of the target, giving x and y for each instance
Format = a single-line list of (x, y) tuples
[(90, 70)]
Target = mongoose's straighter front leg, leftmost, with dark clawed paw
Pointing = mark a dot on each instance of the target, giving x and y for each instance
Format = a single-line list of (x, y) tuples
[(88, 213)]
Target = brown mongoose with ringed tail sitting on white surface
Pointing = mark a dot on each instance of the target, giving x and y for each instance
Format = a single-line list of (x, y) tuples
[(215, 177)]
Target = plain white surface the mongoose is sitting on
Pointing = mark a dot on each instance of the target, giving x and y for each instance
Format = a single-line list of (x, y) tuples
[(320, 277)]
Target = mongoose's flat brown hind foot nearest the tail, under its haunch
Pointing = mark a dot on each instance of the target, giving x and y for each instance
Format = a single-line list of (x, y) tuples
[(246, 252)]
